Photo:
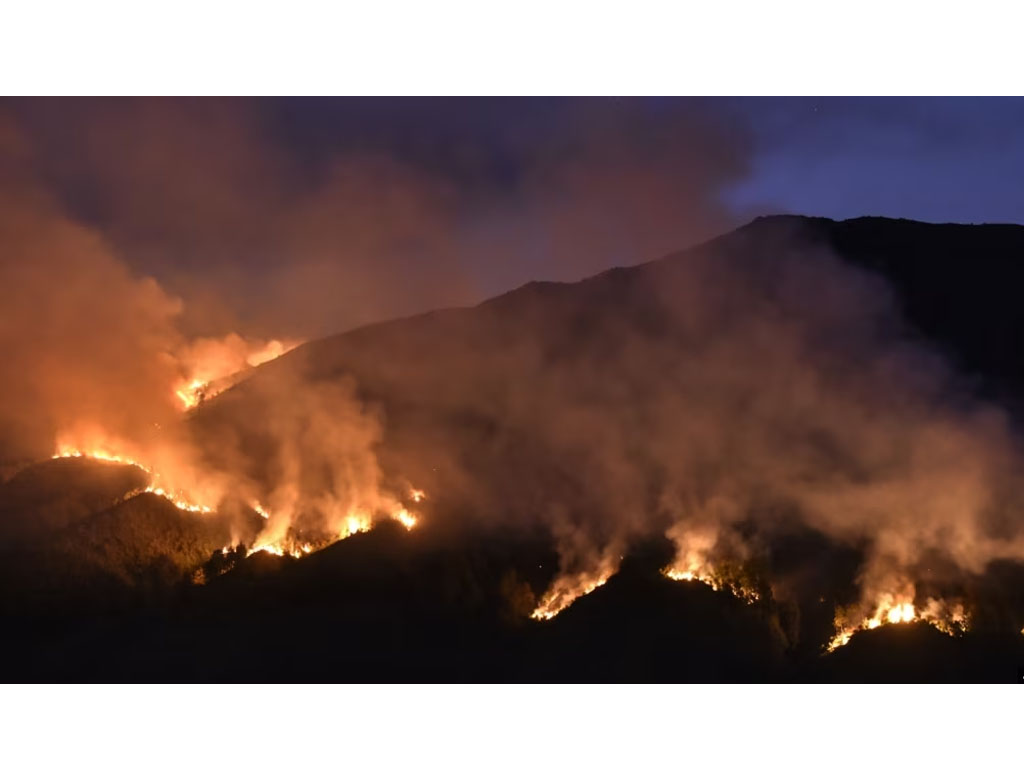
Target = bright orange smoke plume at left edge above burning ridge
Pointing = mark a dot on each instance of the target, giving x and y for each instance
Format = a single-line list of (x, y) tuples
[(83, 339)]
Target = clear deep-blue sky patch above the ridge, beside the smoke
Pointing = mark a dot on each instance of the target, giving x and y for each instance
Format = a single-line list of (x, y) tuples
[(929, 159)]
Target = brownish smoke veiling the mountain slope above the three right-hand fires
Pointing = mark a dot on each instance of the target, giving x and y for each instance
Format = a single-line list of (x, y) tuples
[(720, 398)]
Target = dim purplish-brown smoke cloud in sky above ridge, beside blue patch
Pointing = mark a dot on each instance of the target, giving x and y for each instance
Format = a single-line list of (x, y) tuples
[(293, 219)]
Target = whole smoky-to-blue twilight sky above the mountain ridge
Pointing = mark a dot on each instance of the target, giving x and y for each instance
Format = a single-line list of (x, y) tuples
[(311, 217)]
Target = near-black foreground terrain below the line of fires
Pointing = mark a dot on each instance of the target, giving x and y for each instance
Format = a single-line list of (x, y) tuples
[(380, 608)]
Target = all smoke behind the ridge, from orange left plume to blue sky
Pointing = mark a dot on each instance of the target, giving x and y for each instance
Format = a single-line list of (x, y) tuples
[(150, 244)]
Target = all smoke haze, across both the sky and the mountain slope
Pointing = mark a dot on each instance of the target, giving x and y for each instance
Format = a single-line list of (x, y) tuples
[(714, 398)]
